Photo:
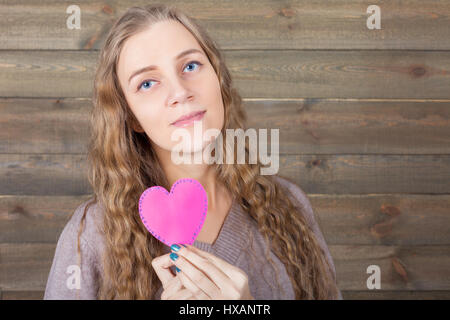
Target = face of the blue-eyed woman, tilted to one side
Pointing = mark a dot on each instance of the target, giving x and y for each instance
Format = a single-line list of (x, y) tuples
[(176, 86)]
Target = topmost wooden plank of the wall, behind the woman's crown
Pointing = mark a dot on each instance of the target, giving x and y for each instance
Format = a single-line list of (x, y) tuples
[(249, 24)]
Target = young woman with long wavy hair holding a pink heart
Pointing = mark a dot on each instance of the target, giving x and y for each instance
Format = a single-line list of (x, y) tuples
[(259, 239)]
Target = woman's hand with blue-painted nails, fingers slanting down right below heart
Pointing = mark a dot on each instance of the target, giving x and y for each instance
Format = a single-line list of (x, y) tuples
[(208, 277)]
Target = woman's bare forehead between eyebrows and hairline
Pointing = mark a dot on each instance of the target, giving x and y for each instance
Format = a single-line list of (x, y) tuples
[(163, 40)]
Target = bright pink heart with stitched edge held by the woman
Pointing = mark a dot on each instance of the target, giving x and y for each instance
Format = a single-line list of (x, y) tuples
[(175, 217)]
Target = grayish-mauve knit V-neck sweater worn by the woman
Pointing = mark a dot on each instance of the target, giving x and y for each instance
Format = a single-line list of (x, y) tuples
[(239, 243)]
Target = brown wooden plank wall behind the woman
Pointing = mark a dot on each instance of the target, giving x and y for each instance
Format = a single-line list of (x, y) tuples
[(363, 118)]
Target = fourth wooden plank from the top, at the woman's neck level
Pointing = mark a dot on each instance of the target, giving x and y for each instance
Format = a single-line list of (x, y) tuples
[(66, 174)]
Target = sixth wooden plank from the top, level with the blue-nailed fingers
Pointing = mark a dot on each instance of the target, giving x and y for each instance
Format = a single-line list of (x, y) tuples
[(426, 267)]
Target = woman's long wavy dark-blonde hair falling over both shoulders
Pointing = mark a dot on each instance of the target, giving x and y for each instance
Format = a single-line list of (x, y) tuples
[(122, 164)]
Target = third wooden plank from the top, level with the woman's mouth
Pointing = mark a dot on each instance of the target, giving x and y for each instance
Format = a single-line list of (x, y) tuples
[(306, 126)]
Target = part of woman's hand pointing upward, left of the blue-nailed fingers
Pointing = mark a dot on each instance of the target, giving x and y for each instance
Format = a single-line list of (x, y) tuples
[(173, 288)]
